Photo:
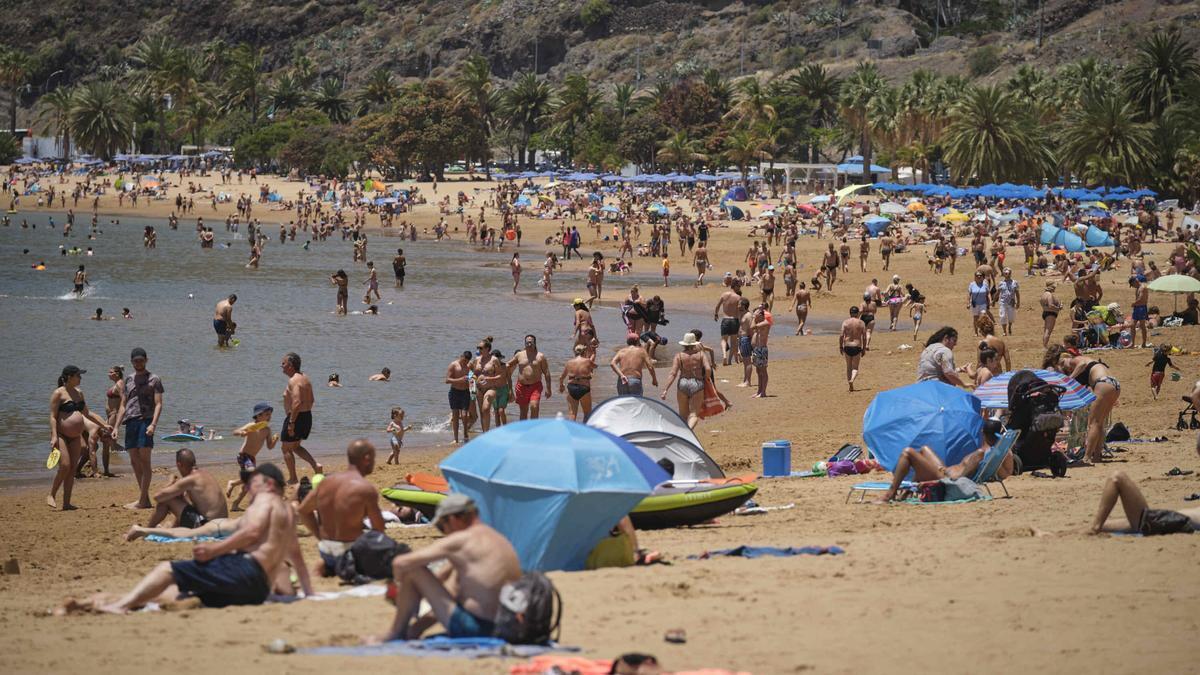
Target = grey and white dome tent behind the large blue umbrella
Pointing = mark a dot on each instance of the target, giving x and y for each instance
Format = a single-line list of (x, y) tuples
[(656, 429)]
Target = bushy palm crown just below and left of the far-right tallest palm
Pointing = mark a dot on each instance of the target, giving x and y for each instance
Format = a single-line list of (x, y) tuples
[(1106, 129)]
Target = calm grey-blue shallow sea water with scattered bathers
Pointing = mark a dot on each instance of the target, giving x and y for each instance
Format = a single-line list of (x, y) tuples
[(452, 300)]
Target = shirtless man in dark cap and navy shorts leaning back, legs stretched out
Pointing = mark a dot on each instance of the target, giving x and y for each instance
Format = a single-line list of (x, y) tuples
[(236, 571)]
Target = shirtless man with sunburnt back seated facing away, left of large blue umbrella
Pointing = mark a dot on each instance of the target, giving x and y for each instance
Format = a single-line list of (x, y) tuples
[(335, 510)]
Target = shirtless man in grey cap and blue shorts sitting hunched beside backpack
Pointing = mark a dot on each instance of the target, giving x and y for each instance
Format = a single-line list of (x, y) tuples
[(465, 596)]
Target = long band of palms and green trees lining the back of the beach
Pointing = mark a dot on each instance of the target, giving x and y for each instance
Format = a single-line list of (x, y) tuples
[(1090, 120)]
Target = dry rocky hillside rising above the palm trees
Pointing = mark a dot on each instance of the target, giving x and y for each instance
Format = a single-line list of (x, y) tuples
[(609, 40)]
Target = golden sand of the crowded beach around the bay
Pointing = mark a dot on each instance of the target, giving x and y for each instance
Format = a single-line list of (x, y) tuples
[(1000, 586)]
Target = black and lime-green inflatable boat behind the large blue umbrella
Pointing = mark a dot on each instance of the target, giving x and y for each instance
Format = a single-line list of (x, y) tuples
[(673, 505)]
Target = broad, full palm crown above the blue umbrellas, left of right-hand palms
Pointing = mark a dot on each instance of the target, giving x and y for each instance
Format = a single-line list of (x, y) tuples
[(991, 140)]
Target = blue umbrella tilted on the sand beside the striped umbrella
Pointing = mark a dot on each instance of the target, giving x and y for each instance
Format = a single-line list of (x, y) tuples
[(927, 414)]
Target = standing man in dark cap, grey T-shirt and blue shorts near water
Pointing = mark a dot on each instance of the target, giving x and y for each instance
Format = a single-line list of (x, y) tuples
[(143, 404)]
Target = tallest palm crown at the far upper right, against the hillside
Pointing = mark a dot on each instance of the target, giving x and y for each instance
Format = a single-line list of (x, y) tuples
[(1163, 69)]
